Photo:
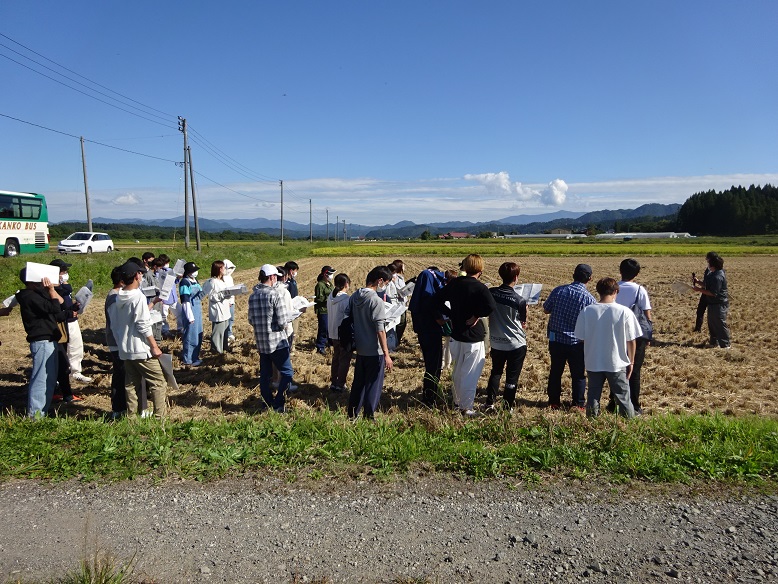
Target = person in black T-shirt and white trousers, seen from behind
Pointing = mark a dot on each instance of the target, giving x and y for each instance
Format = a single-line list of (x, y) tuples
[(470, 302)]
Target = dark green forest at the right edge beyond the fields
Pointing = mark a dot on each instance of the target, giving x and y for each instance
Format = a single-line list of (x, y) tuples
[(736, 211)]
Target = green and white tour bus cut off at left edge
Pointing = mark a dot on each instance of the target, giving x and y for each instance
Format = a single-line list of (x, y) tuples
[(24, 223)]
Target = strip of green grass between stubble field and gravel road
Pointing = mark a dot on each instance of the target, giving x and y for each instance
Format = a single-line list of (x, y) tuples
[(320, 444)]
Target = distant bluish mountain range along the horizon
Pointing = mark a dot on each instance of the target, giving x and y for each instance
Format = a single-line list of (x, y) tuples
[(409, 229)]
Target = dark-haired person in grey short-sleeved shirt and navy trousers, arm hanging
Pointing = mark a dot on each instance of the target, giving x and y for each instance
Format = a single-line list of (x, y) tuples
[(369, 314)]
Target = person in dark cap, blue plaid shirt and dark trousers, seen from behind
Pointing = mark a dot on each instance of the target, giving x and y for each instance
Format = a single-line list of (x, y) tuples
[(564, 304)]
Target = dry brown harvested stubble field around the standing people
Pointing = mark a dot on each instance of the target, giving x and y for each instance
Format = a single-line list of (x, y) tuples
[(680, 374)]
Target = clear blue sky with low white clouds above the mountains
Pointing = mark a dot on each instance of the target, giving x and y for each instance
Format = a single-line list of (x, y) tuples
[(385, 111)]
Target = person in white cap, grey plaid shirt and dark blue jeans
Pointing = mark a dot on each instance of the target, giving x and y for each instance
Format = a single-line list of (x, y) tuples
[(269, 315)]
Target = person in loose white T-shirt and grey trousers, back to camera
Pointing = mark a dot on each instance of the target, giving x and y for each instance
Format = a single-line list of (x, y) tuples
[(608, 331)]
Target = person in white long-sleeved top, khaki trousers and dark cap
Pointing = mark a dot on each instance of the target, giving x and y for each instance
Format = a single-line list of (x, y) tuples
[(131, 328)]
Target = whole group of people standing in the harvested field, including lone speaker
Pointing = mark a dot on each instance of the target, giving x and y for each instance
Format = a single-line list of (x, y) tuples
[(453, 314)]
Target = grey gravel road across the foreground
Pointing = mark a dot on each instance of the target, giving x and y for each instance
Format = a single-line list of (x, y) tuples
[(425, 529)]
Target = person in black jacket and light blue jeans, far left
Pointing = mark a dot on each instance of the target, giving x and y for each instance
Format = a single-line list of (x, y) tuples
[(41, 308)]
